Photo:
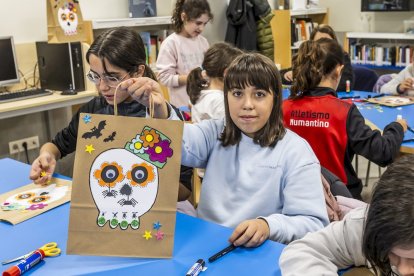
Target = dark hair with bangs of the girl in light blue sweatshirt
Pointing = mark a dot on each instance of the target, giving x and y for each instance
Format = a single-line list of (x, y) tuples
[(253, 69)]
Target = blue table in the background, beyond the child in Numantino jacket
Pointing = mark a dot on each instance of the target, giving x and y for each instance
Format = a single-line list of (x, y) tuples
[(378, 116)]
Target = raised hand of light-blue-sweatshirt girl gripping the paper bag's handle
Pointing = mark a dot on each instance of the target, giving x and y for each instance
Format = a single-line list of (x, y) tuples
[(142, 89)]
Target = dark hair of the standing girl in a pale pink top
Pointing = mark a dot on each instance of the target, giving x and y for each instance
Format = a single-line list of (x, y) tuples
[(193, 9)]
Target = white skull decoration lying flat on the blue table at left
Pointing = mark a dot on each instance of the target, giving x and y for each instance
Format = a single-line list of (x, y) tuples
[(35, 198)]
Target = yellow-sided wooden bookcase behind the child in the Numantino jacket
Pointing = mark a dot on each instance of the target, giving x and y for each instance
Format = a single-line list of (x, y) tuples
[(281, 30)]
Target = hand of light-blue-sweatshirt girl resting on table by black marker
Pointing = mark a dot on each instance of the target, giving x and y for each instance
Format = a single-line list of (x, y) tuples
[(250, 233)]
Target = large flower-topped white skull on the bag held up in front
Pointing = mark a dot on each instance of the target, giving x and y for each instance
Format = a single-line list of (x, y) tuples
[(124, 181)]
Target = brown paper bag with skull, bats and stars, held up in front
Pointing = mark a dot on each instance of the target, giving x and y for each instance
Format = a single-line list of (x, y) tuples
[(125, 186)]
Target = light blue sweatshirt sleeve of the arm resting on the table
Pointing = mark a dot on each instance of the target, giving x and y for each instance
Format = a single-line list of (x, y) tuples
[(304, 208)]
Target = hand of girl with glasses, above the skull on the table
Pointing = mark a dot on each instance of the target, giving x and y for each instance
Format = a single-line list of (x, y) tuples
[(43, 168)]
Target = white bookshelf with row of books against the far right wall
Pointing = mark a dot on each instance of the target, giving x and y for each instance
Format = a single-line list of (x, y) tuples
[(383, 52)]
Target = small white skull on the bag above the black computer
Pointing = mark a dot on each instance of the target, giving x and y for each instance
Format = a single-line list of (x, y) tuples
[(67, 16)]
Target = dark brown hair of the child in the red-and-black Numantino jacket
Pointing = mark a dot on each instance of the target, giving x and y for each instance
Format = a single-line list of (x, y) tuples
[(314, 60)]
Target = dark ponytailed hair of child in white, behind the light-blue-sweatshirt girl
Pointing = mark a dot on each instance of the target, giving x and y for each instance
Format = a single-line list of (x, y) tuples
[(216, 59)]
